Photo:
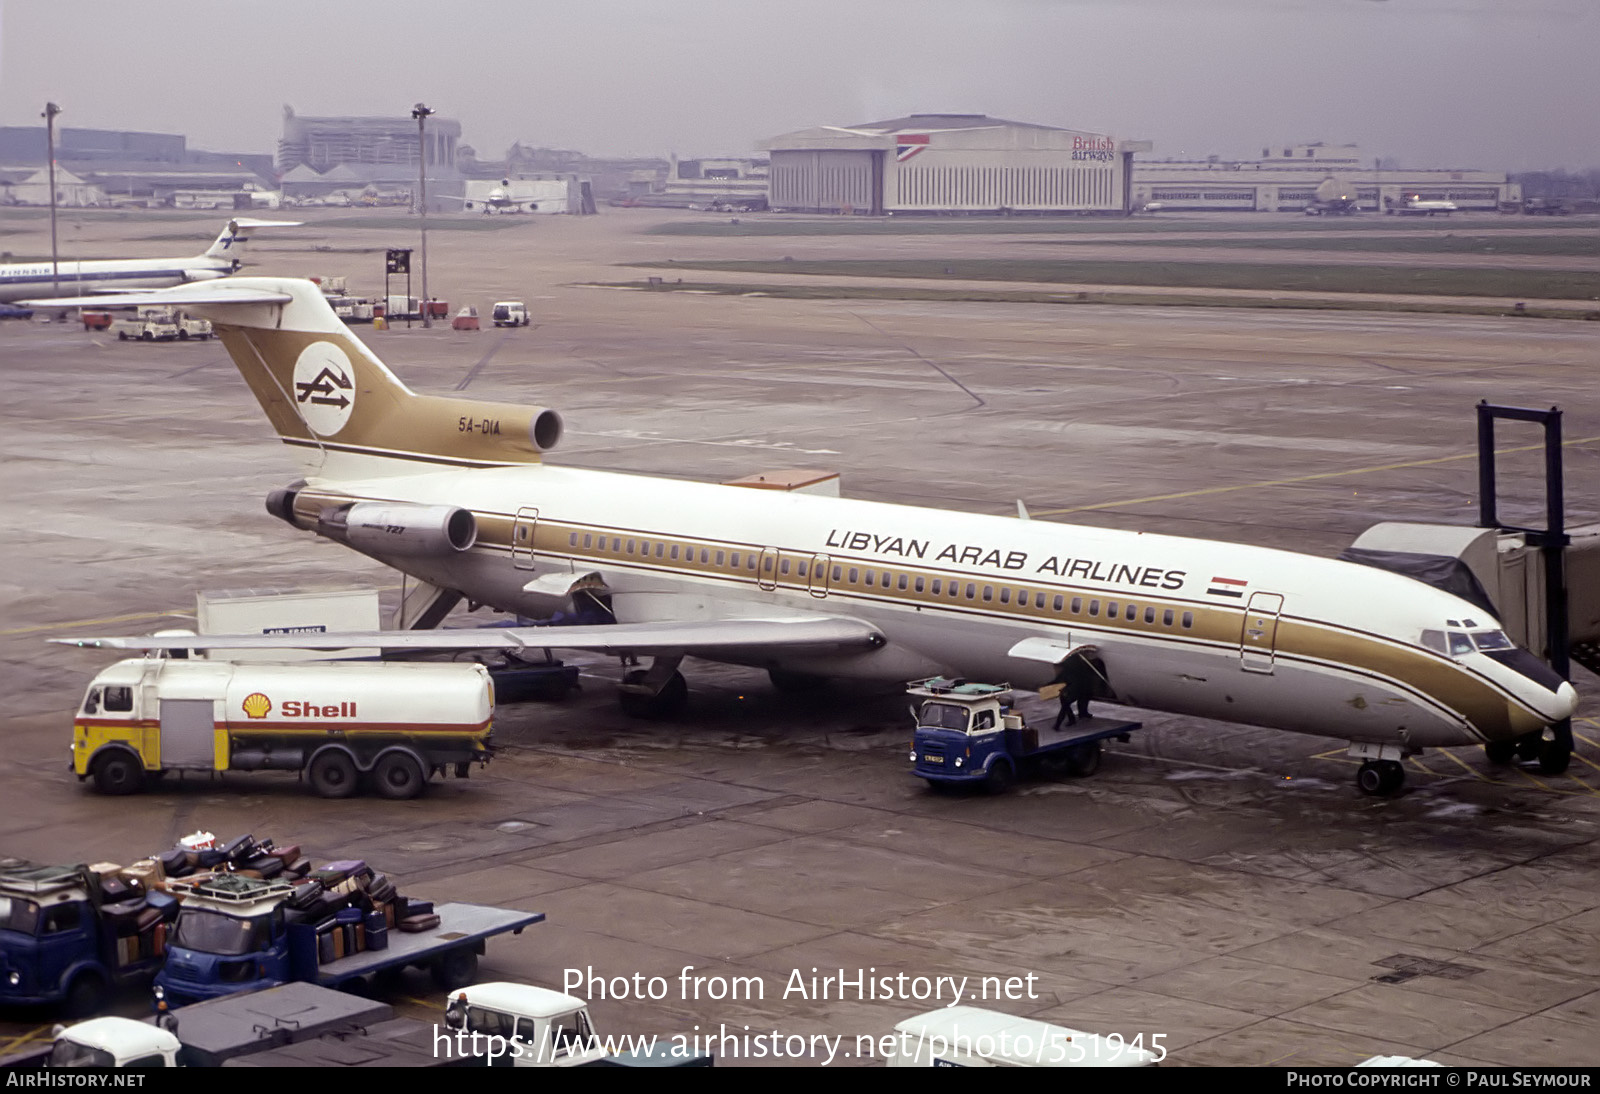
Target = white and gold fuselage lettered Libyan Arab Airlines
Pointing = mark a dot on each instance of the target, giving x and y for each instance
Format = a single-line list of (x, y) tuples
[(1201, 628)]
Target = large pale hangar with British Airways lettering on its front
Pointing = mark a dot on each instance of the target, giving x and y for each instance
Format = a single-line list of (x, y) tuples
[(950, 164)]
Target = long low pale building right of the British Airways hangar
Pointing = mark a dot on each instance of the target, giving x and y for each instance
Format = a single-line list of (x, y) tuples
[(1286, 180)]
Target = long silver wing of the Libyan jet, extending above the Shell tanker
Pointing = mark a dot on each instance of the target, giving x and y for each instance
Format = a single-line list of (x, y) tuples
[(650, 639)]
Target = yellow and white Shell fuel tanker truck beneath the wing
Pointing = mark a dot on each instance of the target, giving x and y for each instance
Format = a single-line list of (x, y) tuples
[(388, 725)]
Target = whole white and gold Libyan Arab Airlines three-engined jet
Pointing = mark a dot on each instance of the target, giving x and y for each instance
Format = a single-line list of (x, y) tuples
[(457, 495)]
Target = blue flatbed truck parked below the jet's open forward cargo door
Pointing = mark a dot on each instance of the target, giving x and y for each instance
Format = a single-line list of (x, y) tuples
[(970, 735)]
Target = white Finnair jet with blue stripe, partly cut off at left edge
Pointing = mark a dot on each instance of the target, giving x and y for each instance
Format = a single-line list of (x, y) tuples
[(119, 276)]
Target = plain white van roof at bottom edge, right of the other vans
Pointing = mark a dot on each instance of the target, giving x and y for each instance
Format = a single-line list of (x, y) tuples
[(972, 1037)]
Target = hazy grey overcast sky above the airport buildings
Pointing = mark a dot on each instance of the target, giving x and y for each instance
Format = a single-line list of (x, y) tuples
[(1484, 84)]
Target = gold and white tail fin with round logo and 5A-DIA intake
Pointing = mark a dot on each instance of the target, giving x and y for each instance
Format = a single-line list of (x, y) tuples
[(337, 405)]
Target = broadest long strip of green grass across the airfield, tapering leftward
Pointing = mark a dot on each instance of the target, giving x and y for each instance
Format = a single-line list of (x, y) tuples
[(1566, 285)]
